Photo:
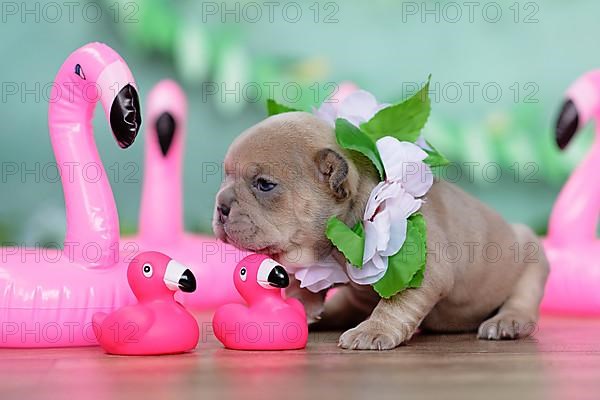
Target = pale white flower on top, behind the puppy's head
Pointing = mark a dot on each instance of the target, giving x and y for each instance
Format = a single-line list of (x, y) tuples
[(356, 107)]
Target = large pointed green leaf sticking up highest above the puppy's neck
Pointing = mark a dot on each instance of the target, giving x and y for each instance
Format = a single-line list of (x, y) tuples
[(403, 121)]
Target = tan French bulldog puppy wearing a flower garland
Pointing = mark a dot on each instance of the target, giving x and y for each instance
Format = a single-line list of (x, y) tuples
[(284, 178)]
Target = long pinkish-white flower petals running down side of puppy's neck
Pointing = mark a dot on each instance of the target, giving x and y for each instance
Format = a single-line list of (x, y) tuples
[(389, 206)]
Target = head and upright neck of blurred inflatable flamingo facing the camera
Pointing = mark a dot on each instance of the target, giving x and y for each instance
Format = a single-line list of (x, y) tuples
[(161, 215)]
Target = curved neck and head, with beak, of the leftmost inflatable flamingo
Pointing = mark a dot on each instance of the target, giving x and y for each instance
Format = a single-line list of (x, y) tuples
[(92, 73)]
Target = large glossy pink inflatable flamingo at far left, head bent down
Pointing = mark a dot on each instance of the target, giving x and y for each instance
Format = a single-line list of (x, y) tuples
[(48, 296)]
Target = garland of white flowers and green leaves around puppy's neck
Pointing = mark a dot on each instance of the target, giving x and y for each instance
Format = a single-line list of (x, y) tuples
[(388, 248)]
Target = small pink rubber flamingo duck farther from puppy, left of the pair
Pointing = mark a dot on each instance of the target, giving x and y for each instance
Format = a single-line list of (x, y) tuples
[(157, 324)]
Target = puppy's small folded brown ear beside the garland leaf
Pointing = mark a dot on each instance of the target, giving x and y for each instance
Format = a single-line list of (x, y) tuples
[(334, 170)]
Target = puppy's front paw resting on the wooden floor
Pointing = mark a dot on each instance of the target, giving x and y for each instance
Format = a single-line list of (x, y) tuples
[(372, 335)]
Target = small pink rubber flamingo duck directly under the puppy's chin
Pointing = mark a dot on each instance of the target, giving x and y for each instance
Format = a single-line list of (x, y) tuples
[(267, 322)]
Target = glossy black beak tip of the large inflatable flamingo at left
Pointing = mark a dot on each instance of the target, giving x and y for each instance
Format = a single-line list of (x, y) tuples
[(125, 116)]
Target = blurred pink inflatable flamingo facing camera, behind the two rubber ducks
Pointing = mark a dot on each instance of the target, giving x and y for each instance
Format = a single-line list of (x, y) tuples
[(161, 215)]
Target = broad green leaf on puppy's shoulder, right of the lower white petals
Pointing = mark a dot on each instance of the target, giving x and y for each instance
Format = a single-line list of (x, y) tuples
[(406, 268)]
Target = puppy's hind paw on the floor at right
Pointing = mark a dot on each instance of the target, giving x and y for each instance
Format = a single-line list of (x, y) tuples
[(506, 325)]
